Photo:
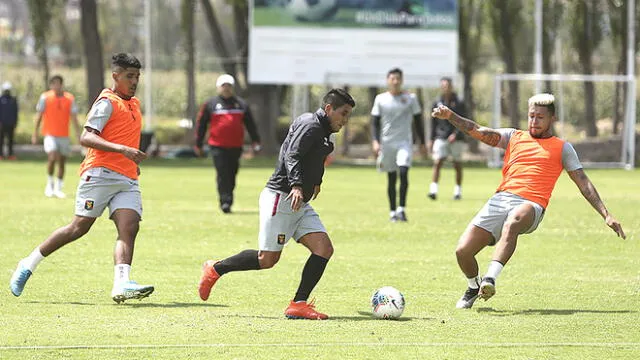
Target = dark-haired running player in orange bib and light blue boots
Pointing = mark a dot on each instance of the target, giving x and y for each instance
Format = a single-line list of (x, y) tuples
[(108, 177)]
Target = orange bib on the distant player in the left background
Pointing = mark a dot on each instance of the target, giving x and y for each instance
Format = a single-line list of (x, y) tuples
[(56, 113)]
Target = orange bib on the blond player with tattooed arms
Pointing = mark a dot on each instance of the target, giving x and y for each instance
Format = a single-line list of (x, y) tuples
[(532, 167)]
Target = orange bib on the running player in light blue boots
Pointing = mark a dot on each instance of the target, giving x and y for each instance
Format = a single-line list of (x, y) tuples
[(123, 127)]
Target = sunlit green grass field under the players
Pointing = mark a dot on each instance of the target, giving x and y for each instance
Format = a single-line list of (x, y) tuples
[(572, 290)]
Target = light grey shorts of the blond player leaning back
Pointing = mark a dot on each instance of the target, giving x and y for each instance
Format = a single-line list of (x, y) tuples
[(496, 210)]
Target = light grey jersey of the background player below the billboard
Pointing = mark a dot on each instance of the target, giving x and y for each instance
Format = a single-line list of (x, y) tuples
[(396, 114)]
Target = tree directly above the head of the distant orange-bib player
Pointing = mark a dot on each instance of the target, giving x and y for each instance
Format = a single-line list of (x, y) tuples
[(40, 16)]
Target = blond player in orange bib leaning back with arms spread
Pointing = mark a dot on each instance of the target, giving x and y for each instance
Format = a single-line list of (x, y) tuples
[(533, 161)]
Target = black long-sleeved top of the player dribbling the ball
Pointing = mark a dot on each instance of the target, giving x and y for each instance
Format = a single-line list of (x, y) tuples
[(302, 154)]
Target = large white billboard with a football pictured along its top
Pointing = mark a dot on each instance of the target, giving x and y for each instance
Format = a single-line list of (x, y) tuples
[(292, 44)]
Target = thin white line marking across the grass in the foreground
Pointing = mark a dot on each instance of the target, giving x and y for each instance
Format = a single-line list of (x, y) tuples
[(331, 344)]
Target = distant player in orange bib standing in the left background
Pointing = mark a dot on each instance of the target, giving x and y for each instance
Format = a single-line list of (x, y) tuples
[(55, 108)]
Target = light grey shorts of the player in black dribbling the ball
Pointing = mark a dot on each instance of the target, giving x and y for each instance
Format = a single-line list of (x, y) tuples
[(279, 223)]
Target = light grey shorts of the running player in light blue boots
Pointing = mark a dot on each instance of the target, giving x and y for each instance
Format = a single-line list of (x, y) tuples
[(100, 187)]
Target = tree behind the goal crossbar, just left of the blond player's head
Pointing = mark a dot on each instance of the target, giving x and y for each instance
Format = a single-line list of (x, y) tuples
[(506, 24)]
